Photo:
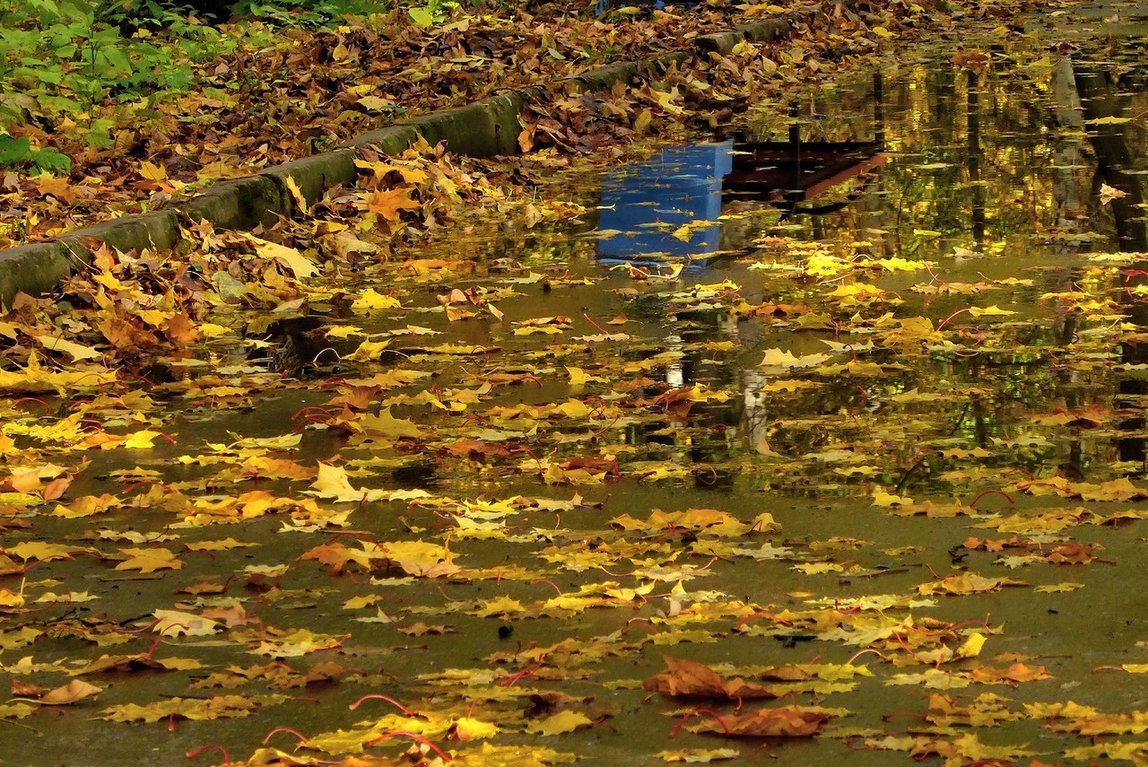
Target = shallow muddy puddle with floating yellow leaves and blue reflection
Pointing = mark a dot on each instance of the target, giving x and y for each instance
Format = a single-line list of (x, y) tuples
[(1002, 173)]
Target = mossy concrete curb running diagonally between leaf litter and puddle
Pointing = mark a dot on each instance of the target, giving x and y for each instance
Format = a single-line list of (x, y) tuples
[(484, 129)]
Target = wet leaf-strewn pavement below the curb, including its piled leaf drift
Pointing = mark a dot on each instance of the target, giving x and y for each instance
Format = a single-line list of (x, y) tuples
[(430, 476)]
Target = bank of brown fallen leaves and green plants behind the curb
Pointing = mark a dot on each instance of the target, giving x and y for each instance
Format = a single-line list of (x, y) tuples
[(95, 123)]
